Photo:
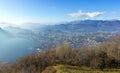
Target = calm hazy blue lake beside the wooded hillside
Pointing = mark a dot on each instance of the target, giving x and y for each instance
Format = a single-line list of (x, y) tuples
[(13, 48)]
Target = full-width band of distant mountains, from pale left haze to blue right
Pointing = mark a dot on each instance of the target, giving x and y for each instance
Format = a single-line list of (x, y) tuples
[(80, 26)]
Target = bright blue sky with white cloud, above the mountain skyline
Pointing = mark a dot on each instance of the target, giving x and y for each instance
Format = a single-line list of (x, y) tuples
[(53, 11)]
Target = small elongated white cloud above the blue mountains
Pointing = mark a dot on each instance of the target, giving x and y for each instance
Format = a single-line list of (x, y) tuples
[(80, 13)]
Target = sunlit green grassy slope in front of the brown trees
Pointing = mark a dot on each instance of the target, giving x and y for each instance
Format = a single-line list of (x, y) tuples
[(76, 69)]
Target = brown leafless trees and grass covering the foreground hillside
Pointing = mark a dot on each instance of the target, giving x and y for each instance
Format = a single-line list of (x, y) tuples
[(103, 57)]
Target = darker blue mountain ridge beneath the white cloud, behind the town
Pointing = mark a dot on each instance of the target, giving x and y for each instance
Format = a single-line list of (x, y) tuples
[(88, 26)]
